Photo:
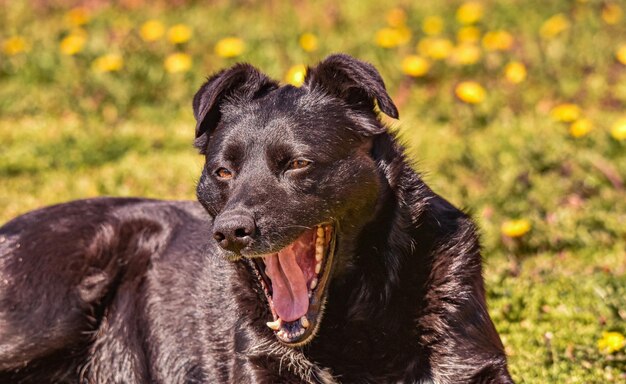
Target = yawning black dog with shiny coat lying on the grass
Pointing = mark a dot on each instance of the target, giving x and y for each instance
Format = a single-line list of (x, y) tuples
[(323, 258)]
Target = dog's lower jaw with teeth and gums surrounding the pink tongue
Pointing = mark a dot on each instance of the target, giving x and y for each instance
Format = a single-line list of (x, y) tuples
[(303, 329)]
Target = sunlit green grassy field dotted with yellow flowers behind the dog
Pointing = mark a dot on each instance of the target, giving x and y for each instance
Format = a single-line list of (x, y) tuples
[(515, 110)]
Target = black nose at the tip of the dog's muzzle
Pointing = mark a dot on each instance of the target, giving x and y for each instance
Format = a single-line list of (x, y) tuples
[(234, 231)]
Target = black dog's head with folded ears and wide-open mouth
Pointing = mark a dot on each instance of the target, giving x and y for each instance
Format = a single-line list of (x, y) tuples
[(289, 177)]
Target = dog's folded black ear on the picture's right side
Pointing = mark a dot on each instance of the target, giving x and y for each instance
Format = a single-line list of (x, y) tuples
[(356, 82)]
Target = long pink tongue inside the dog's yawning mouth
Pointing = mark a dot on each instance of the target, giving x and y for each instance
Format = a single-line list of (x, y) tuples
[(289, 290)]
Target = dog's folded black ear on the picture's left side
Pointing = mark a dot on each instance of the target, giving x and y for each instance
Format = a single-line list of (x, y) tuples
[(242, 81)]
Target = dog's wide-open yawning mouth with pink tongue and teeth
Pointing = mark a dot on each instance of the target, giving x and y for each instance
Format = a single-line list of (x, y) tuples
[(294, 281)]
